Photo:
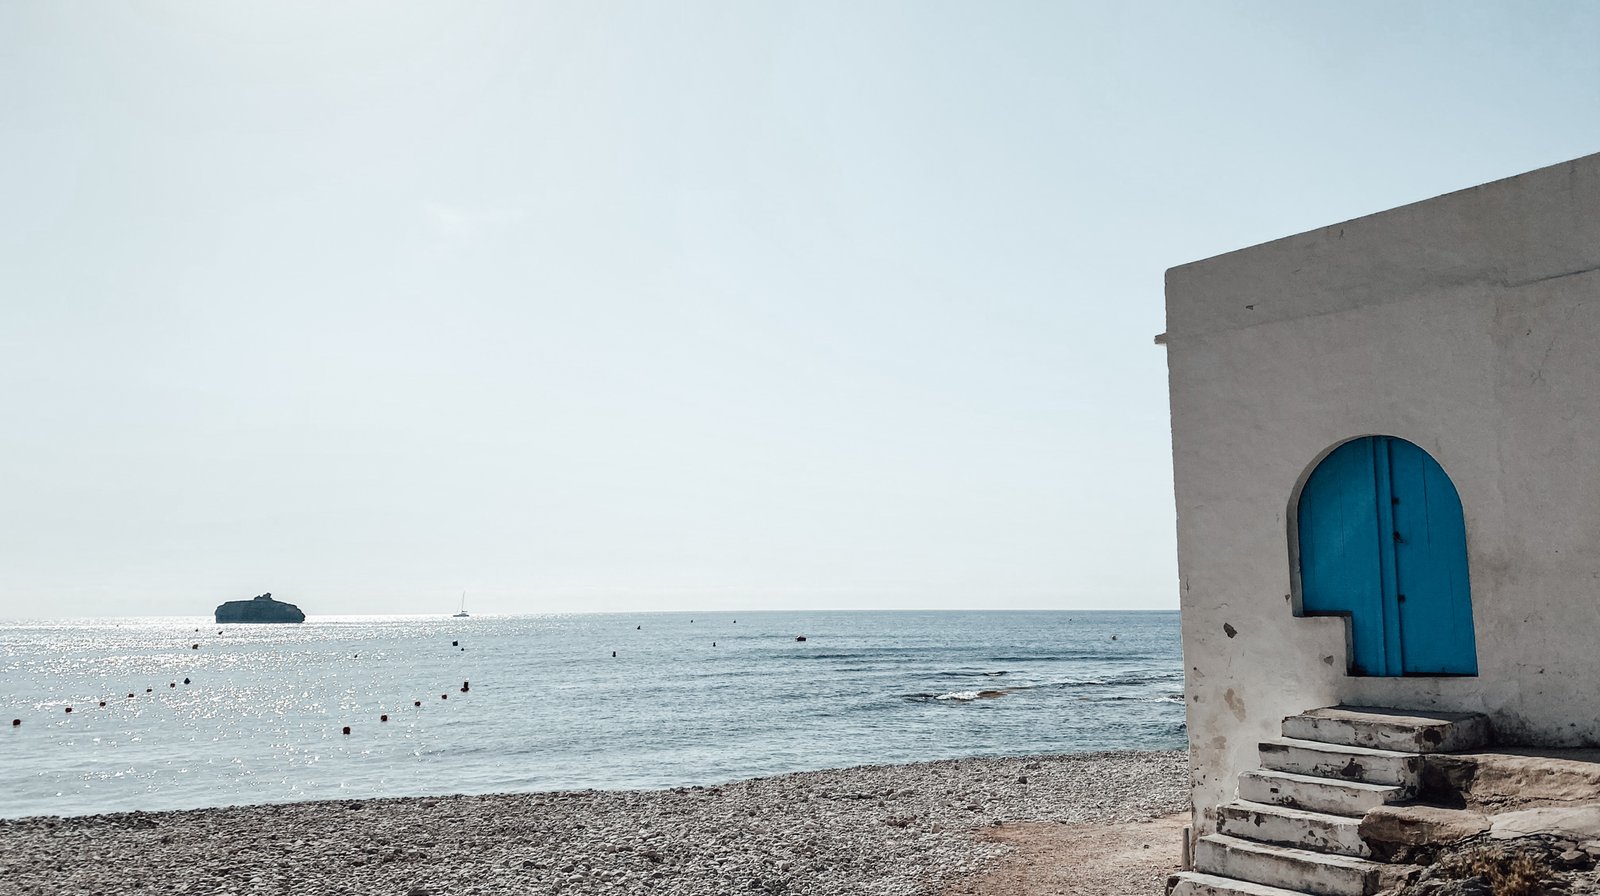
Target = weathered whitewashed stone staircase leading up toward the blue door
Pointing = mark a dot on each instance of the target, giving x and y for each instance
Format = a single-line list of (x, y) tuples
[(1294, 831)]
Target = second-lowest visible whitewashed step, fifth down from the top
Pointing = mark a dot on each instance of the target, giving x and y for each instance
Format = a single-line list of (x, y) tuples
[(1319, 874)]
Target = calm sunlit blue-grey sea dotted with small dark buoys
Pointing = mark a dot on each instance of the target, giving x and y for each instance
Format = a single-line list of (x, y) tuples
[(183, 713)]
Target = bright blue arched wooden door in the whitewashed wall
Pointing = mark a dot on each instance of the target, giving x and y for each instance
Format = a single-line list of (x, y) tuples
[(1383, 540)]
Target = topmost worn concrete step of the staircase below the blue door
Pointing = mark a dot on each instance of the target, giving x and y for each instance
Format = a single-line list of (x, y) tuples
[(1404, 730)]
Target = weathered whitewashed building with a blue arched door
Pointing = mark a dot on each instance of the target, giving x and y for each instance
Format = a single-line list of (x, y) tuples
[(1454, 342)]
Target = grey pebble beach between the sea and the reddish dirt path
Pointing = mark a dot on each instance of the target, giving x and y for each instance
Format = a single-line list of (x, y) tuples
[(882, 831)]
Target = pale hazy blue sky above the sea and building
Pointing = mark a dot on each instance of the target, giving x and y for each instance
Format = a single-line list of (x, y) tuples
[(671, 306)]
